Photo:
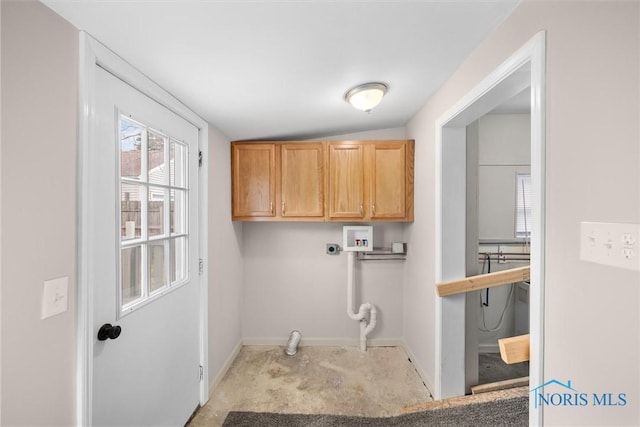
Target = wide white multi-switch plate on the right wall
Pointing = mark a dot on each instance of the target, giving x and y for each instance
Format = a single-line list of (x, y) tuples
[(611, 244)]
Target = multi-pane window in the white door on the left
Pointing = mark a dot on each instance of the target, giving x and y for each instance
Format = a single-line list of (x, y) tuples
[(153, 214)]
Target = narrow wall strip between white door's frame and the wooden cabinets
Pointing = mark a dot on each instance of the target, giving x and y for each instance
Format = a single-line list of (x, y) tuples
[(225, 261)]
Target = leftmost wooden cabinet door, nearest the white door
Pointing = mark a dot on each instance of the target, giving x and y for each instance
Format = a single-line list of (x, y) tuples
[(254, 180)]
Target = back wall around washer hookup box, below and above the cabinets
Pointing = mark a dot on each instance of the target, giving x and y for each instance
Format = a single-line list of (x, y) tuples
[(290, 283)]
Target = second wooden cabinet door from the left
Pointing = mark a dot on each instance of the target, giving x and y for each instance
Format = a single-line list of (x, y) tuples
[(302, 172)]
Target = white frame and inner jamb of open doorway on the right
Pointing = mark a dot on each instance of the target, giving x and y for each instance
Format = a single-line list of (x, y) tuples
[(525, 68)]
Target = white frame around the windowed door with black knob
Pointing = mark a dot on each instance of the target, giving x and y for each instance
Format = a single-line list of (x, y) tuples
[(93, 54)]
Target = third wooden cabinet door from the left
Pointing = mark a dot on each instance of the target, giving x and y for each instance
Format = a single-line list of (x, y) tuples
[(346, 181)]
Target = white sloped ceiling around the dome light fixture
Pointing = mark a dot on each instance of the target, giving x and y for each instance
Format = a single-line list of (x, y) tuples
[(279, 68)]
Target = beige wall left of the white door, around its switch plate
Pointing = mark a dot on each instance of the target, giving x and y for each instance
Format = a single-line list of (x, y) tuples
[(39, 100)]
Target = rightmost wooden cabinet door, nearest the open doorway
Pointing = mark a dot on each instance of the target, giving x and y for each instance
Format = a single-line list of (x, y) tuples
[(388, 185)]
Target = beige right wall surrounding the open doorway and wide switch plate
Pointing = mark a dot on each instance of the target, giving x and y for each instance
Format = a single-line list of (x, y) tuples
[(592, 174)]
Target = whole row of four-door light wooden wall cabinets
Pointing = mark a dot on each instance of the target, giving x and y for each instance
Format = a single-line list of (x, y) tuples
[(340, 181)]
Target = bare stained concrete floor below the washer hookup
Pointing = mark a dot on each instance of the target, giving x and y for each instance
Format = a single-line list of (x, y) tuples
[(317, 380)]
